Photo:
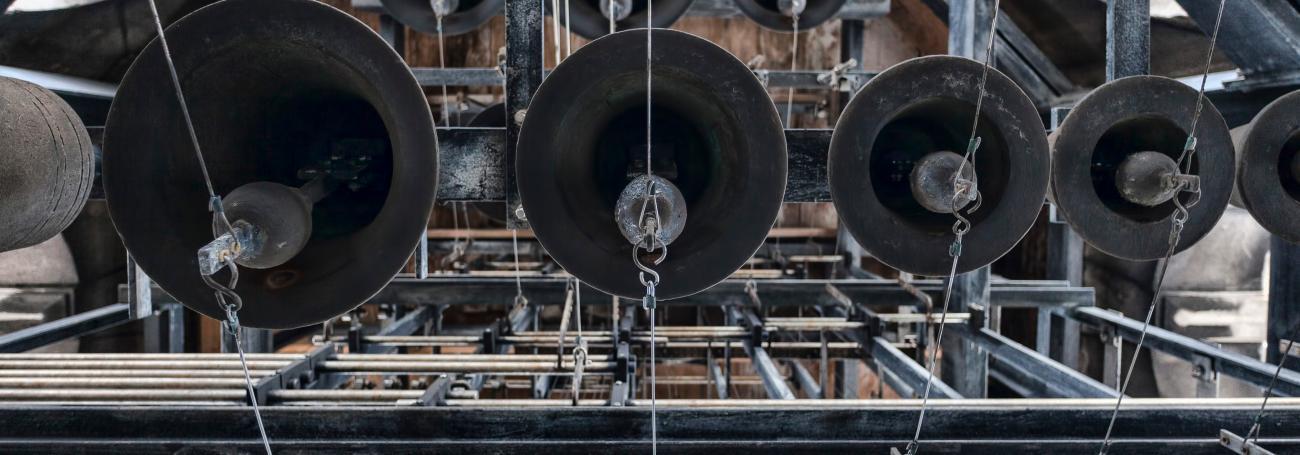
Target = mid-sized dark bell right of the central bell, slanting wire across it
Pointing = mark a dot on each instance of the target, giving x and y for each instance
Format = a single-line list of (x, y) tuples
[(898, 151)]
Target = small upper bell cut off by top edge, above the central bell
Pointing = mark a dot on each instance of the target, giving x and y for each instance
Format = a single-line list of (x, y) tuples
[(591, 19)]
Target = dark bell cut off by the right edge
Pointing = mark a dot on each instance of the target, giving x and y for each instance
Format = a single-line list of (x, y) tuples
[(1268, 174)]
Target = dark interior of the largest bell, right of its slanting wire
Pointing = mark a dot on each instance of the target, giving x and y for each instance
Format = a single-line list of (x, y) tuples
[(280, 111)]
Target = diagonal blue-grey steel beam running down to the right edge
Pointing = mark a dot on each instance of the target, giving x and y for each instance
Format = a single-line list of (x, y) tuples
[(1189, 349)]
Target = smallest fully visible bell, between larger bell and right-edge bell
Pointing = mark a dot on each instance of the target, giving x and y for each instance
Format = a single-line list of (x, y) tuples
[(1116, 175)]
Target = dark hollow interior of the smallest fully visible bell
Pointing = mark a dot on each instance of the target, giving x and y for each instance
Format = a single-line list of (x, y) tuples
[(1125, 138)]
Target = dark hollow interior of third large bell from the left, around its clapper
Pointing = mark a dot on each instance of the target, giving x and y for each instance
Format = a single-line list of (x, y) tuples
[(935, 125)]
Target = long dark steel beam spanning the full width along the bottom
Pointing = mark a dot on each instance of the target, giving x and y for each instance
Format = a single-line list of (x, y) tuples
[(989, 427)]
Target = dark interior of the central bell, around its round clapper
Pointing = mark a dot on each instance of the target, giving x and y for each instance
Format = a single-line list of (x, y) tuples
[(696, 145)]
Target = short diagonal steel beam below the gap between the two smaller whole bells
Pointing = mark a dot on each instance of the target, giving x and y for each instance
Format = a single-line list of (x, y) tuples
[(1033, 370)]
